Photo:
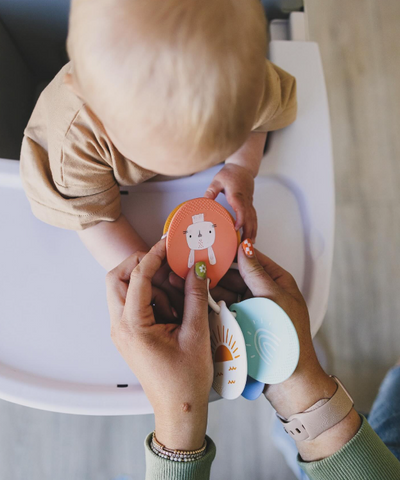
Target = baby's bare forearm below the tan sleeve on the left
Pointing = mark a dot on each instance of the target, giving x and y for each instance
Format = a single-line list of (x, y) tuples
[(112, 242)]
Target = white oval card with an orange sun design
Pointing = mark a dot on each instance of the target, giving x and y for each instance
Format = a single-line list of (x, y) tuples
[(229, 354)]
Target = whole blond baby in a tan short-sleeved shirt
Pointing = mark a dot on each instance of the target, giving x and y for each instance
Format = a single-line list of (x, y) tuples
[(167, 87)]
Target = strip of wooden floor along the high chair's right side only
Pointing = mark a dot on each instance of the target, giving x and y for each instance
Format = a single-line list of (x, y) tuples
[(360, 48)]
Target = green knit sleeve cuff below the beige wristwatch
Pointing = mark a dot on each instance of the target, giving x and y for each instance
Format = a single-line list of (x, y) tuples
[(364, 457)]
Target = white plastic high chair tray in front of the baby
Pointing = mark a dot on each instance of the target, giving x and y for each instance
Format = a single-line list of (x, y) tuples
[(55, 348)]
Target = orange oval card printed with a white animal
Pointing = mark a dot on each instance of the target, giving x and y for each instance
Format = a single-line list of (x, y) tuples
[(201, 230)]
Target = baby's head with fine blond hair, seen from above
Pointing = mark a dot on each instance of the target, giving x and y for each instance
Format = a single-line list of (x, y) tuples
[(176, 83)]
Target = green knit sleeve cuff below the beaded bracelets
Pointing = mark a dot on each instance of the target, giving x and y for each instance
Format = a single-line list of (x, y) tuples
[(158, 468)]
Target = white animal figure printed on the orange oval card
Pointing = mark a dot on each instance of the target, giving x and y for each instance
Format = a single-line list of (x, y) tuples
[(200, 235)]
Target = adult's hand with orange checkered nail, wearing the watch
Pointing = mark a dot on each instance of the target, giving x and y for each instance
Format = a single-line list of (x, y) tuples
[(309, 383)]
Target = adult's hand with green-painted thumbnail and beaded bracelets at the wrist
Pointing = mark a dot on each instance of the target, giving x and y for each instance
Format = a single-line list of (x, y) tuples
[(172, 362)]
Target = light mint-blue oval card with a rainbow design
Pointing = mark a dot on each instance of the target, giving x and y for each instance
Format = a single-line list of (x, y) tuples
[(271, 340)]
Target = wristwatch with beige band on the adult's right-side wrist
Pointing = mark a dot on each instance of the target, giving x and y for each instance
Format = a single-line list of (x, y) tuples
[(320, 417)]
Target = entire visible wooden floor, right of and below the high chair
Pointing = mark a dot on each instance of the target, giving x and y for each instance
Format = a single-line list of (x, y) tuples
[(360, 47)]
